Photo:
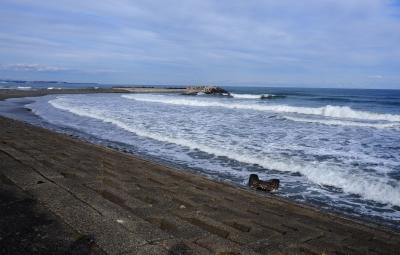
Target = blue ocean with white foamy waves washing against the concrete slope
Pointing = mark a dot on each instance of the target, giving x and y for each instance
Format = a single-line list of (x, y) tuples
[(336, 149)]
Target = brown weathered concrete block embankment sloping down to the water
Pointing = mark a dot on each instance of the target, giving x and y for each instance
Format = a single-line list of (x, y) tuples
[(133, 206)]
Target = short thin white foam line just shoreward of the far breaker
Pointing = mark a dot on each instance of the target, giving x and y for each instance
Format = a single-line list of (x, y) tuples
[(343, 122)]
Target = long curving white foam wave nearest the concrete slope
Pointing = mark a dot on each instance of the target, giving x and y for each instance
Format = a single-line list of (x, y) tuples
[(368, 186)]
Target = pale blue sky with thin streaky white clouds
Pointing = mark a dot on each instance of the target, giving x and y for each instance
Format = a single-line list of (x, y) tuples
[(310, 43)]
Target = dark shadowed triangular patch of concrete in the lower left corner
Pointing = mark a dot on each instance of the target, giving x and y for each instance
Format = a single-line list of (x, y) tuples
[(28, 227)]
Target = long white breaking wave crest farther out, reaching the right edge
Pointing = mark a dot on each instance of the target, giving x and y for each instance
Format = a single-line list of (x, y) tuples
[(344, 112)]
